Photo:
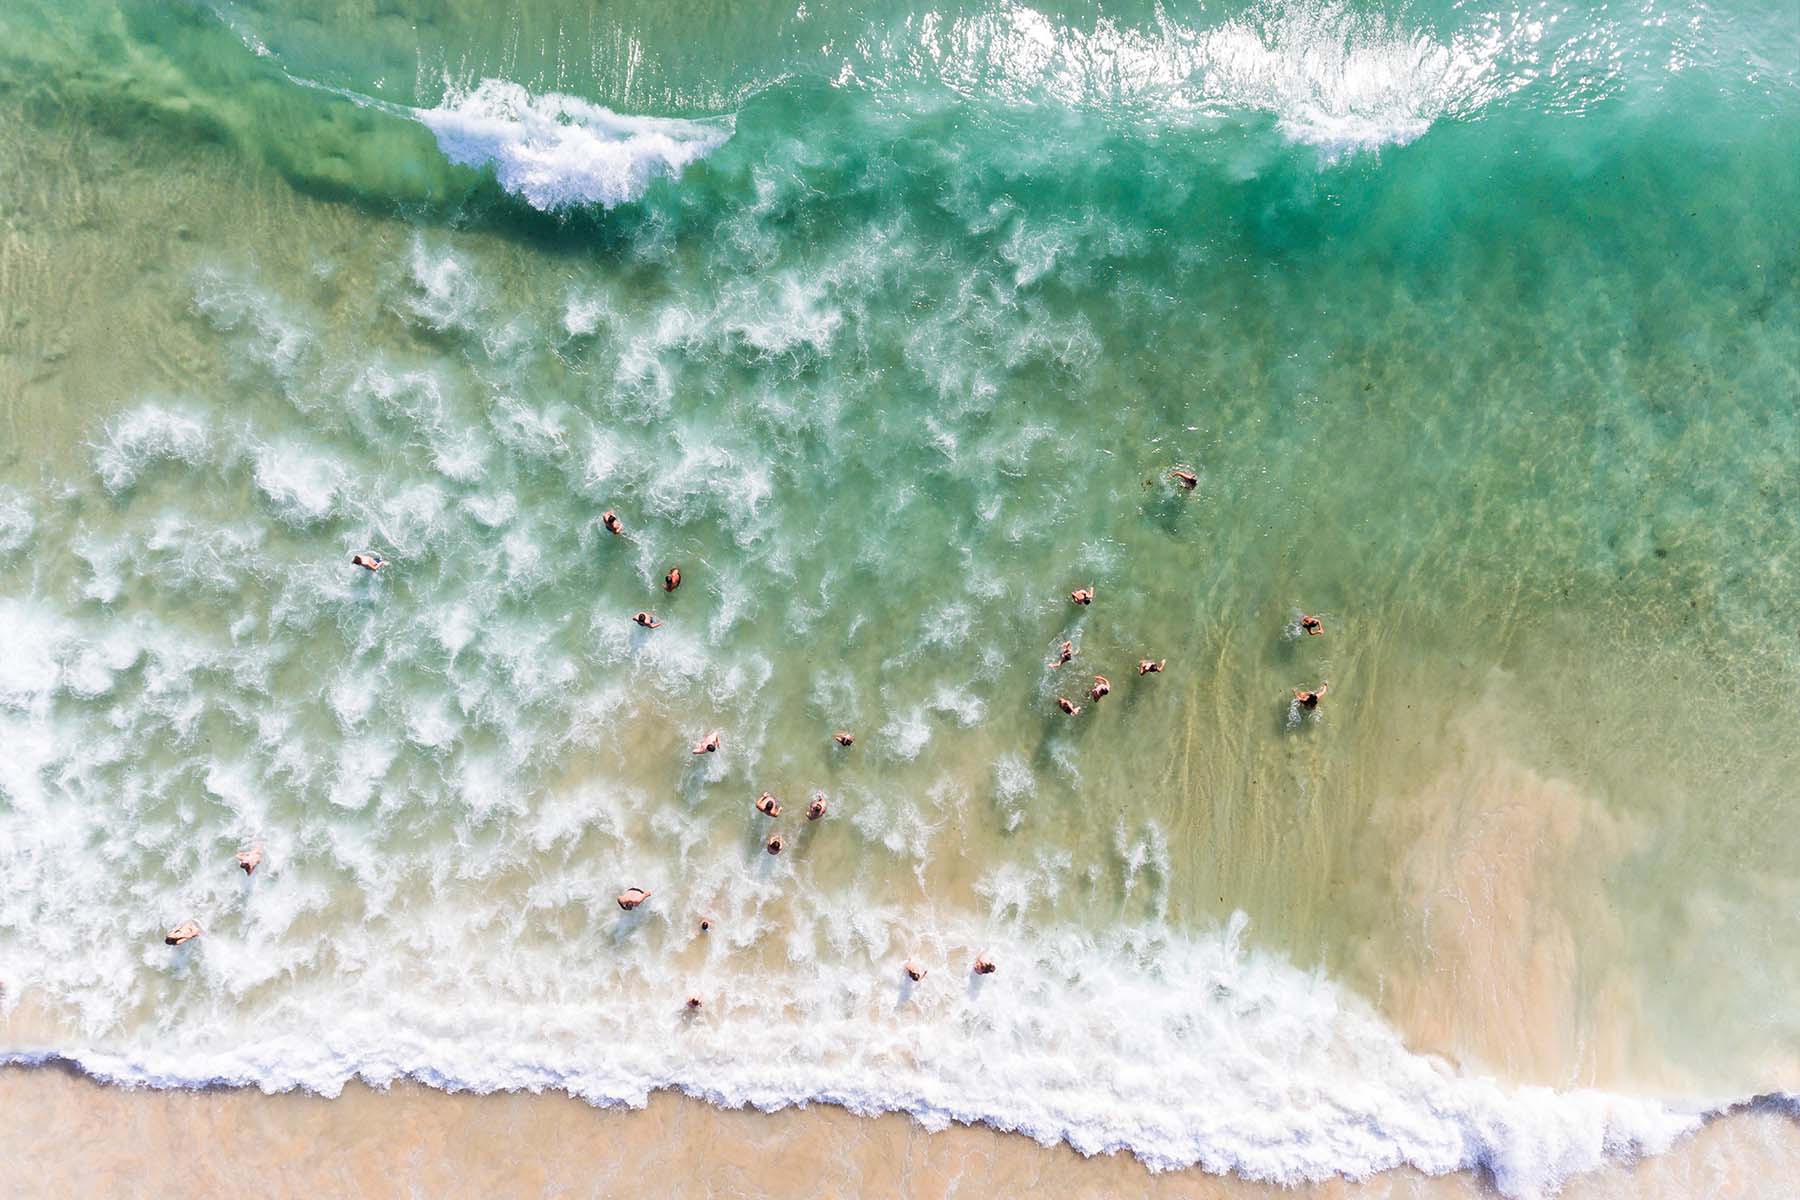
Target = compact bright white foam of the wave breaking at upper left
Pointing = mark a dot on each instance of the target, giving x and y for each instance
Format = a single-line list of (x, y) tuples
[(561, 152)]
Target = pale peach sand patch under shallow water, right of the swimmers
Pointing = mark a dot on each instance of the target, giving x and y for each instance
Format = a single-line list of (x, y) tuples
[(1507, 954)]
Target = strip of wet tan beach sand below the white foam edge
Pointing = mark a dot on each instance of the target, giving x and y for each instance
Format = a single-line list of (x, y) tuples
[(411, 1140)]
